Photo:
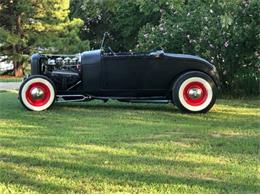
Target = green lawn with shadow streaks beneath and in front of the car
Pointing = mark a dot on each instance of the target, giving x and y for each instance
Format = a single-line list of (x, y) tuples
[(129, 148)]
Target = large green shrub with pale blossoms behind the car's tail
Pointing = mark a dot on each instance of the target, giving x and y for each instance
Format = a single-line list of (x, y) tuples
[(226, 33)]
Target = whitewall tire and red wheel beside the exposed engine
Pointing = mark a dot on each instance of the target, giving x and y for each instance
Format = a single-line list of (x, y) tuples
[(37, 93)]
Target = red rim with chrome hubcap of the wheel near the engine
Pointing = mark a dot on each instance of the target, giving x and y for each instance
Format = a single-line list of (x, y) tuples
[(38, 94)]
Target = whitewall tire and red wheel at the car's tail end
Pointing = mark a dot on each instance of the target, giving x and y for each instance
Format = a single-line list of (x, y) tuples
[(194, 92)]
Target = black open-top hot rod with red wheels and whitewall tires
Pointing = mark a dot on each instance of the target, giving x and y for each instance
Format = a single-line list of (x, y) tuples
[(190, 82)]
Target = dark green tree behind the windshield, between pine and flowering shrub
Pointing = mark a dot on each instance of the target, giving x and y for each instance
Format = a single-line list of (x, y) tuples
[(122, 19)]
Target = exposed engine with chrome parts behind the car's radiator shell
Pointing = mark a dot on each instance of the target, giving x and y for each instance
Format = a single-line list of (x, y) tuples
[(64, 71)]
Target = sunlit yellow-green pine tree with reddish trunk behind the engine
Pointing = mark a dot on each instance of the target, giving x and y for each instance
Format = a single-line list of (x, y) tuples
[(27, 26)]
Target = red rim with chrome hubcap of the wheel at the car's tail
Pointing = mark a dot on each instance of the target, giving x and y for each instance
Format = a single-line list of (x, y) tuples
[(195, 93)]
